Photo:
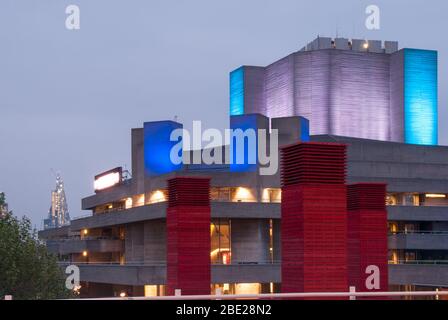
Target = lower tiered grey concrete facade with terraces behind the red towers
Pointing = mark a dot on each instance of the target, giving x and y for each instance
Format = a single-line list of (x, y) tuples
[(254, 233)]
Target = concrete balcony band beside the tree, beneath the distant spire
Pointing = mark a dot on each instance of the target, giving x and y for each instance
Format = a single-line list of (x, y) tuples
[(68, 246)]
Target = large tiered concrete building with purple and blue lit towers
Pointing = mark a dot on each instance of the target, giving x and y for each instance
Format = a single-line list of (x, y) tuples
[(125, 245)]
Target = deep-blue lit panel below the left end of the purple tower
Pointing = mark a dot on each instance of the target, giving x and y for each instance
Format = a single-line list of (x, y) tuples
[(244, 123)]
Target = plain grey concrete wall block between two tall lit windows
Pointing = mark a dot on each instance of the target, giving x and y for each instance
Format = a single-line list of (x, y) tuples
[(250, 240)]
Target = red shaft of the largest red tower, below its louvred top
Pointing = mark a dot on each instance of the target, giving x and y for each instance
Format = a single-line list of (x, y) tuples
[(314, 238)]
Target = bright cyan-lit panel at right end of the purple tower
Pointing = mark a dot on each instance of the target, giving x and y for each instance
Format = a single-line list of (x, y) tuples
[(420, 97)]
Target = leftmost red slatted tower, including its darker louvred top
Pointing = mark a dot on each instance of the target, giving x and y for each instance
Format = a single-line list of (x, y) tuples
[(188, 236)]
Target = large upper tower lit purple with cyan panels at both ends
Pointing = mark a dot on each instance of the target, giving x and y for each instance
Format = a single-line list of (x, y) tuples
[(355, 88)]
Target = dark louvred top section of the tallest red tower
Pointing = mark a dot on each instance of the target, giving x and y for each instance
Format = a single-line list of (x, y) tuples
[(313, 163)]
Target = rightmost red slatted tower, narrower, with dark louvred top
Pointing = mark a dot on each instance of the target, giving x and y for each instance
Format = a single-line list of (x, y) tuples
[(367, 234)]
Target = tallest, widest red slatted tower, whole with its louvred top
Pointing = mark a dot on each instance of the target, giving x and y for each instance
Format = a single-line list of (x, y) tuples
[(314, 218)]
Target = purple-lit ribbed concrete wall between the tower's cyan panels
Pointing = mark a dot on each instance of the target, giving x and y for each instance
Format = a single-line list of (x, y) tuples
[(327, 87)]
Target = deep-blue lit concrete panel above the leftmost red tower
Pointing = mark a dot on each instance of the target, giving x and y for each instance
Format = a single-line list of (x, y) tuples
[(157, 147)]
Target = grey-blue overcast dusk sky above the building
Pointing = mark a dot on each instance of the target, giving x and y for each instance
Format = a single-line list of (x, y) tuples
[(68, 99)]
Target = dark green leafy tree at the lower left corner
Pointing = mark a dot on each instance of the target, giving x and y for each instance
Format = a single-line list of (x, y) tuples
[(27, 269)]
